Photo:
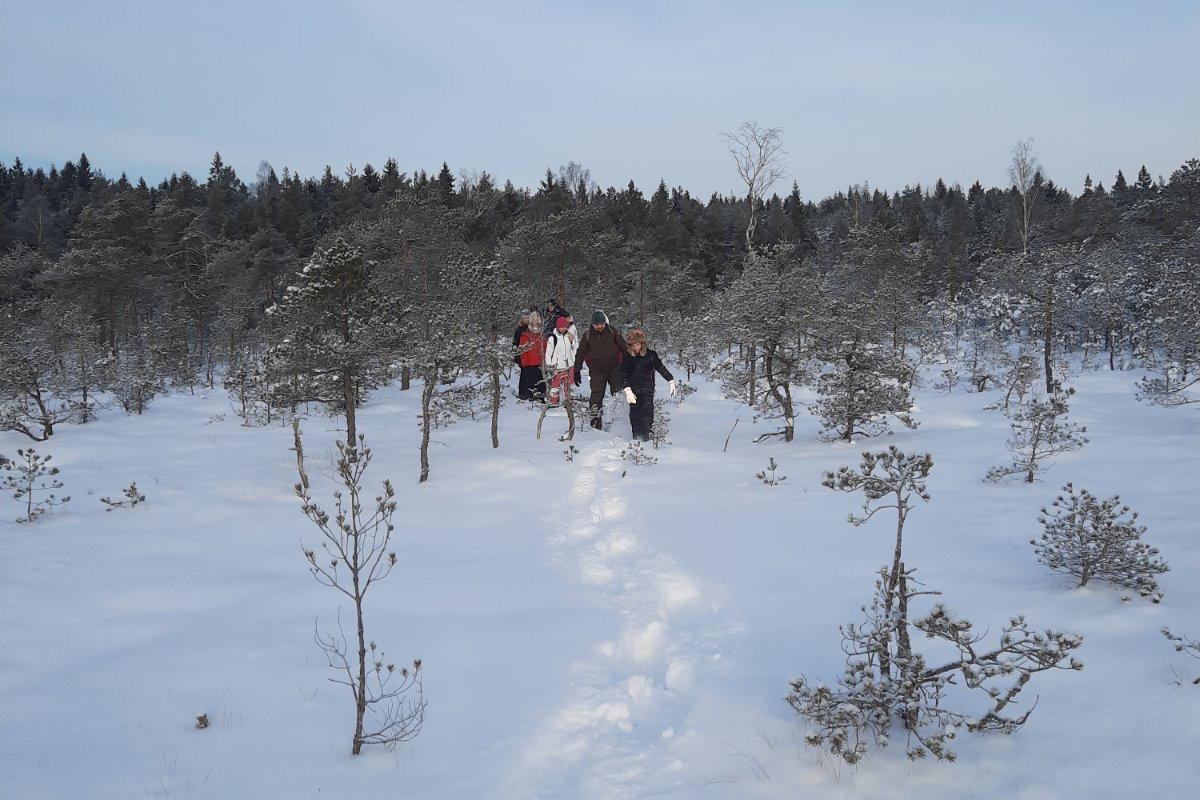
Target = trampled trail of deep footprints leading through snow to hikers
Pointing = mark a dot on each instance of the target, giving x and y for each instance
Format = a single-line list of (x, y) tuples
[(619, 732)]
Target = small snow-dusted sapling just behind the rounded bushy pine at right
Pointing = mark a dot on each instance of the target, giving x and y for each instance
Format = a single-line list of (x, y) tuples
[(1040, 432)]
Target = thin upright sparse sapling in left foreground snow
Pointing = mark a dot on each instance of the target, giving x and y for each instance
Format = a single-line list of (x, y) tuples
[(356, 557)]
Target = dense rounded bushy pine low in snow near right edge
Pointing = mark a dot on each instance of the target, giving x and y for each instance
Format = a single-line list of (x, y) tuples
[(1090, 538)]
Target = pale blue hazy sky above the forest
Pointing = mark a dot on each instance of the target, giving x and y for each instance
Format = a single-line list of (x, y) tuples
[(892, 93)]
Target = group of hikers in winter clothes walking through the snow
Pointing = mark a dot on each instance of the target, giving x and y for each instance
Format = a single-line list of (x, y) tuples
[(551, 354)]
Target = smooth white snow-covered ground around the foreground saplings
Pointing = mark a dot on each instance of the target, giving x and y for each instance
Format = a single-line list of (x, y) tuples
[(590, 629)]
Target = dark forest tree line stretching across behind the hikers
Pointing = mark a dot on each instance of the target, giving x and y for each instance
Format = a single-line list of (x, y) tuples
[(295, 291)]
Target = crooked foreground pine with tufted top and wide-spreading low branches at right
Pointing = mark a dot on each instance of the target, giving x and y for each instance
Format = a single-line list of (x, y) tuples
[(886, 681)]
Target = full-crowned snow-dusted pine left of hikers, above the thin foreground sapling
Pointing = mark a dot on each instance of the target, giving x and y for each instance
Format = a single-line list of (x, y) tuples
[(331, 332)]
